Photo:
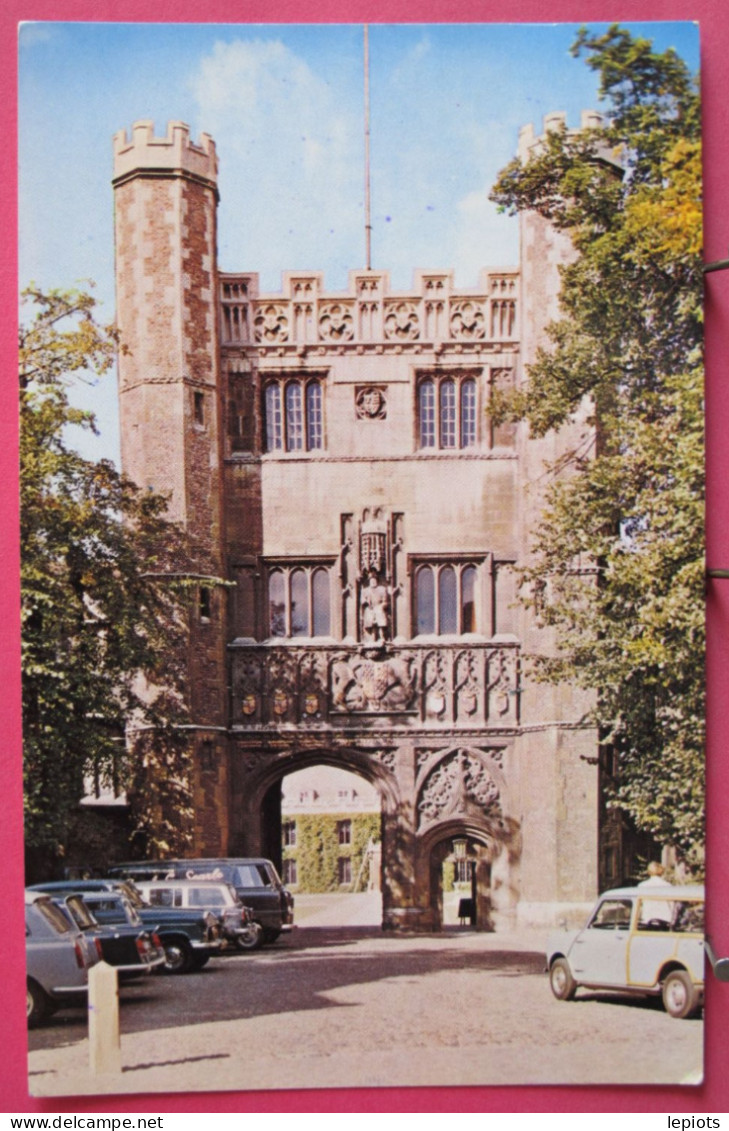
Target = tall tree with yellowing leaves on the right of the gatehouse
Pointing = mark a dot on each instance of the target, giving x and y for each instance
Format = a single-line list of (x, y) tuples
[(618, 559)]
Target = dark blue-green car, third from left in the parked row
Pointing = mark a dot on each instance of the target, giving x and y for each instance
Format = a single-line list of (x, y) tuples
[(189, 937)]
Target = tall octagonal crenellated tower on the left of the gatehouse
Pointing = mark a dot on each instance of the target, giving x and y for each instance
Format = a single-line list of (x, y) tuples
[(166, 196)]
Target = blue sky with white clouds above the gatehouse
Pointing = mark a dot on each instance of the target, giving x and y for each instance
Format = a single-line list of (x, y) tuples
[(285, 107)]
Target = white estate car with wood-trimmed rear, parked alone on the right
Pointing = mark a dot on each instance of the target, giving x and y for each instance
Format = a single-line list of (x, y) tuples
[(646, 940)]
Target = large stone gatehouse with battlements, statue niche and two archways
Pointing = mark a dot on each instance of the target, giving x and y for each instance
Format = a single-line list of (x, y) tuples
[(334, 457)]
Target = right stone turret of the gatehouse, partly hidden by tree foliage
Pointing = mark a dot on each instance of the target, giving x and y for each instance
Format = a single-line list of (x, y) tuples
[(562, 761)]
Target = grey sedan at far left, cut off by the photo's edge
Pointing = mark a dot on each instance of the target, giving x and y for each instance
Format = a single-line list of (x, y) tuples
[(58, 959)]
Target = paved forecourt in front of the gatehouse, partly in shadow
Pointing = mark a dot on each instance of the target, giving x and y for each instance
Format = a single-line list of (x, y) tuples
[(332, 1006)]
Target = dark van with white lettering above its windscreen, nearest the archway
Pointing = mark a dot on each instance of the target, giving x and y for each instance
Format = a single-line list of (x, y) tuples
[(256, 882)]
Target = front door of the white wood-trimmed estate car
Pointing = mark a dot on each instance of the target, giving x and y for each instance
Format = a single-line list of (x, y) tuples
[(600, 953)]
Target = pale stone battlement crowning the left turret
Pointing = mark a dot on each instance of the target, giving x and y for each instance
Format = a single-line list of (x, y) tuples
[(172, 154)]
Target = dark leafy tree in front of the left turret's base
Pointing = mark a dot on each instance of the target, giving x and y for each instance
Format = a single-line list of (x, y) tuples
[(102, 635)]
